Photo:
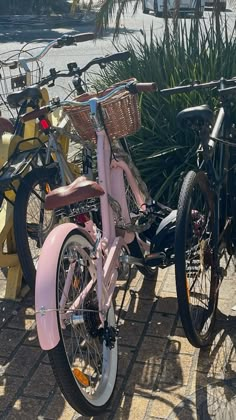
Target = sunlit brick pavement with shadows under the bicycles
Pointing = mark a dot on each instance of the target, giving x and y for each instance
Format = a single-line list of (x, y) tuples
[(161, 376)]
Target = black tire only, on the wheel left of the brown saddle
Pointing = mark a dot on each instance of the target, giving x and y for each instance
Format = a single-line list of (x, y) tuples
[(19, 220)]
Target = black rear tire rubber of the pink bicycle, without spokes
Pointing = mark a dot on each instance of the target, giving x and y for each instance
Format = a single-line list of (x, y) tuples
[(62, 371)]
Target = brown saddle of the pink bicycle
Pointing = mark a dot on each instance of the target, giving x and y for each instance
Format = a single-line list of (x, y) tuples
[(79, 190)]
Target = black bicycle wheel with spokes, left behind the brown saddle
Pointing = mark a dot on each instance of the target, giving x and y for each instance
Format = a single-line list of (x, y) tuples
[(32, 222)]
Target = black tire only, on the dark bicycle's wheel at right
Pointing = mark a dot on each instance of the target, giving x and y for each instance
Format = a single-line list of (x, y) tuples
[(180, 270)]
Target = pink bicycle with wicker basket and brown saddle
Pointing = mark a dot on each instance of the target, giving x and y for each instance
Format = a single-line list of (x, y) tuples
[(78, 266)]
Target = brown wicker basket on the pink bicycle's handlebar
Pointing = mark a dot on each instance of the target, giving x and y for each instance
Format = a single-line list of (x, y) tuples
[(120, 112)]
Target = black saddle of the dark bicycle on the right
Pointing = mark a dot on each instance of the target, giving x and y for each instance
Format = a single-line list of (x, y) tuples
[(201, 113)]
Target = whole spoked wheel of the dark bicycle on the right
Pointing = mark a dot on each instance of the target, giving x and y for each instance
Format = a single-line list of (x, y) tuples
[(195, 269)]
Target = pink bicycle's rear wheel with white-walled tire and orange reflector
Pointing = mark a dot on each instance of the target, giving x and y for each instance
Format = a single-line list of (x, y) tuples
[(87, 358)]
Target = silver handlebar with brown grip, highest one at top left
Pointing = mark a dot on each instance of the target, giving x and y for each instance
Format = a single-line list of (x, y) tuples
[(65, 40)]
